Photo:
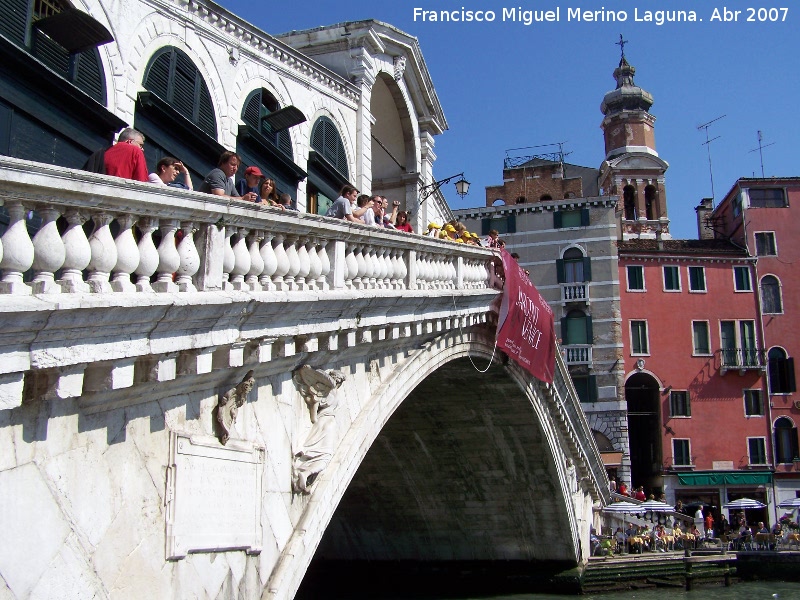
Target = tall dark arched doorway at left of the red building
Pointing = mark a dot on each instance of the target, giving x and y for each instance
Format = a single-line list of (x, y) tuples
[(644, 431)]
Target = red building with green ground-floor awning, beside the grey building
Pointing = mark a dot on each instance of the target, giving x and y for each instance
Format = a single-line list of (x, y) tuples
[(694, 364)]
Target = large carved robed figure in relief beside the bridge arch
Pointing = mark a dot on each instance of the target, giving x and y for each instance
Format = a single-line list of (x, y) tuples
[(316, 385)]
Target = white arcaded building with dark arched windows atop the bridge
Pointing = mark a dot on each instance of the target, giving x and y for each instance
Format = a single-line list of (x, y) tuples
[(197, 80)]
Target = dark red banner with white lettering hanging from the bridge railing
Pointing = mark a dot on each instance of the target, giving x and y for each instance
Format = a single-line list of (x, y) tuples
[(525, 329)]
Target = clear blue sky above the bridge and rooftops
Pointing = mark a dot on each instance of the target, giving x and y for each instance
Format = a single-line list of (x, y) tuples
[(508, 85)]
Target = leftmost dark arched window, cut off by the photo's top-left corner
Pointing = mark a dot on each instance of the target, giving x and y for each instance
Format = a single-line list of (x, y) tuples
[(41, 27)]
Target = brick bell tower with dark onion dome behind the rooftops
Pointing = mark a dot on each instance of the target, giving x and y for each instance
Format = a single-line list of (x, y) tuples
[(632, 169)]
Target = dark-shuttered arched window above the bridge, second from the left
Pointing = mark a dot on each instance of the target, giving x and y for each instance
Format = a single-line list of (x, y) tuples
[(173, 77)]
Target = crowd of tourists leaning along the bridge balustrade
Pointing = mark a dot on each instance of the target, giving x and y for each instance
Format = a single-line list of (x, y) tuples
[(126, 159)]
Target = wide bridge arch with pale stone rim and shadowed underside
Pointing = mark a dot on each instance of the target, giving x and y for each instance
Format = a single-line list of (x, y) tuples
[(479, 475)]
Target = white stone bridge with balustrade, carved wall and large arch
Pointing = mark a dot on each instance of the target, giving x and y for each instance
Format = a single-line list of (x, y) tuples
[(351, 374)]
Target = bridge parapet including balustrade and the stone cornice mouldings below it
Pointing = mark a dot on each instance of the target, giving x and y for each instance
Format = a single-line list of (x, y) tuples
[(109, 311)]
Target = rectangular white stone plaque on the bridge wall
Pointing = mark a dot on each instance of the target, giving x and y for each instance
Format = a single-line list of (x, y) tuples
[(213, 496)]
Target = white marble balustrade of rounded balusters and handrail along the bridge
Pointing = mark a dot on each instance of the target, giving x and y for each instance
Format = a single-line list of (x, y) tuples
[(105, 235)]
